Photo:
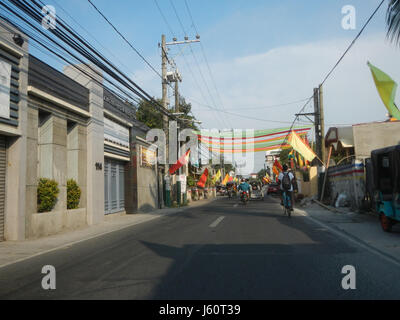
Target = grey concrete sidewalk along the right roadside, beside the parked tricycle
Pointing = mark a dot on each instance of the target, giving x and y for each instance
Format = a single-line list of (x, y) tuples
[(363, 227)]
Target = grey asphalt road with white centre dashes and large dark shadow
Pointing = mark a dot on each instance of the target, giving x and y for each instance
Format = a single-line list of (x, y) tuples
[(222, 250)]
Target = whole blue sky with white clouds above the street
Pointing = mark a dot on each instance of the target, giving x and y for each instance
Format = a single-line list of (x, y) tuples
[(253, 56)]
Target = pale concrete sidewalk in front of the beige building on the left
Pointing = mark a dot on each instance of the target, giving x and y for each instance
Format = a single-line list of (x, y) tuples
[(14, 251)]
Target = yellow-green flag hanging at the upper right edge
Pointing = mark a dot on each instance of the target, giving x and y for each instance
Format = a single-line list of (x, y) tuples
[(387, 90)]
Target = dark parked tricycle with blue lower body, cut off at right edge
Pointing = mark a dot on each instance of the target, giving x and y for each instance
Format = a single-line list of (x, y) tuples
[(386, 185)]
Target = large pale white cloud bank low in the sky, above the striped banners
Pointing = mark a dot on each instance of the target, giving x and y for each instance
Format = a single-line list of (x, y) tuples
[(290, 73)]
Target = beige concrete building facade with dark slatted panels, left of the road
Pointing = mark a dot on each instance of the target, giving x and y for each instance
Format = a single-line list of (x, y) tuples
[(66, 125)]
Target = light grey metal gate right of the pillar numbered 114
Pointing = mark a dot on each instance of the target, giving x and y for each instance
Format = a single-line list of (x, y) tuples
[(114, 180)]
